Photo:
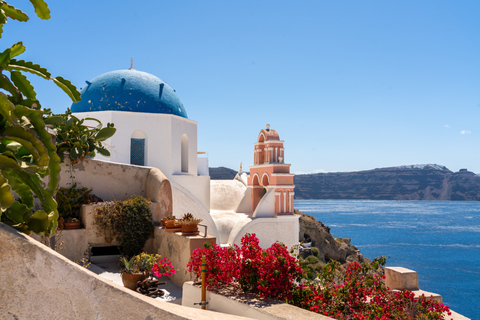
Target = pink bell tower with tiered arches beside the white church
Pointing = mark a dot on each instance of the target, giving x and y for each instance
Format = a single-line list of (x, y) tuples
[(270, 171)]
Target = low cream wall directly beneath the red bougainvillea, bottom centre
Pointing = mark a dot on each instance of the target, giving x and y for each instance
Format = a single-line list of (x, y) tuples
[(245, 305)]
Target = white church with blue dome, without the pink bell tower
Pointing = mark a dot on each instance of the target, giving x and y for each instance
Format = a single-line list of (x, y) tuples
[(153, 130)]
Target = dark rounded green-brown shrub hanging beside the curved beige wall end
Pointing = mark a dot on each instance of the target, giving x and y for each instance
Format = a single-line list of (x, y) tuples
[(129, 222)]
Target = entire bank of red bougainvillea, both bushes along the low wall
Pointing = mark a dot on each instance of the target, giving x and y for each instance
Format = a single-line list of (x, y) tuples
[(357, 294)]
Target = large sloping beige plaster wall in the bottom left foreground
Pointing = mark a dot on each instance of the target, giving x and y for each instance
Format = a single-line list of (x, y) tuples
[(38, 283)]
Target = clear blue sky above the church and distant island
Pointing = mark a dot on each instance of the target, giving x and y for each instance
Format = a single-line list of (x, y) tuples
[(349, 85)]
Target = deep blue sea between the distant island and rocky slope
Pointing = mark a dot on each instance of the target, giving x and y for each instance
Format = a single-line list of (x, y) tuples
[(440, 240)]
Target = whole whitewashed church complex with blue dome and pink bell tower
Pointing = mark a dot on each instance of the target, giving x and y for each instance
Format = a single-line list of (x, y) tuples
[(153, 130)]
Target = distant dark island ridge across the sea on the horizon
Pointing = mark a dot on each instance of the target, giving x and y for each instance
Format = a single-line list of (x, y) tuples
[(411, 182)]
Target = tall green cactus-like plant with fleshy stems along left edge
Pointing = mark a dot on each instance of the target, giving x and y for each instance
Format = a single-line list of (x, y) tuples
[(27, 154)]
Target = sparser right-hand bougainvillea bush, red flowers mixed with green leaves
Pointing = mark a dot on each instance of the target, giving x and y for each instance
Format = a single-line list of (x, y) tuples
[(361, 294)]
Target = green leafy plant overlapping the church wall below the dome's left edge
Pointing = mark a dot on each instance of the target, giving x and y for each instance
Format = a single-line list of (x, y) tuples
[(78, 140)]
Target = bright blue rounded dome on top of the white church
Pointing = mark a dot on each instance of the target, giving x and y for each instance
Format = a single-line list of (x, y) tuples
[(129, 90)]
